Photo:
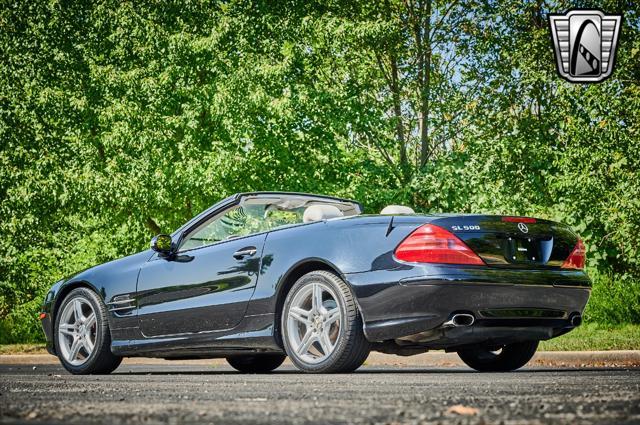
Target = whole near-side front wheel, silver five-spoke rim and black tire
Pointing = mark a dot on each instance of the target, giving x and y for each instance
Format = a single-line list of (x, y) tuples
[(82, 336)]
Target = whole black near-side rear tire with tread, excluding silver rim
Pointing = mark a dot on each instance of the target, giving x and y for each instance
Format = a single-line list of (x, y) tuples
[(351, 347)]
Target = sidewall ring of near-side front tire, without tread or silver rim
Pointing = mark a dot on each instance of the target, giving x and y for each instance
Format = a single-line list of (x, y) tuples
[(101, 329)]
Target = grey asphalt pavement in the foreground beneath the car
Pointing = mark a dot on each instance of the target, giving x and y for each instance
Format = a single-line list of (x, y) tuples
[(177, 394)]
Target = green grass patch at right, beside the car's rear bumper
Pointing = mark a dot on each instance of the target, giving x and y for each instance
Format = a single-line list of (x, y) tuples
[(593, 336)]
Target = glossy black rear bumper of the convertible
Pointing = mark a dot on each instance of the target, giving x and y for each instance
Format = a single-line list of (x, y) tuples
[(510, 306)]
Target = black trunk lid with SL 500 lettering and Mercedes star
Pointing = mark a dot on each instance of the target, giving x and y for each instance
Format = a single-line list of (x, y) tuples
[(513, 242)]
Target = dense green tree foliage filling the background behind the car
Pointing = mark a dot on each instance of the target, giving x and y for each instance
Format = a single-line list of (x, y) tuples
[(123, 119)]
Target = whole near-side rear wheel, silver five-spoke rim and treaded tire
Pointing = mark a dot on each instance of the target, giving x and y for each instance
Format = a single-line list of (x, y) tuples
[(322, 328)]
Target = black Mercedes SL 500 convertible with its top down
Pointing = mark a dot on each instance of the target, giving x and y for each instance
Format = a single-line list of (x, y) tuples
[(265, 275)]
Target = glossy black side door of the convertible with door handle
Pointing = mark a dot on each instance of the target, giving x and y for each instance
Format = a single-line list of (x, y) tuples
[(204, 289)]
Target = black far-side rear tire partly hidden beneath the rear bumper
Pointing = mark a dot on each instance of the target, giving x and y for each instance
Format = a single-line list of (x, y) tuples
[(510, 357)]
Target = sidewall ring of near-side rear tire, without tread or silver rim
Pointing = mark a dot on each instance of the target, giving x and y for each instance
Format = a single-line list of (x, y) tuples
[(341, 343)]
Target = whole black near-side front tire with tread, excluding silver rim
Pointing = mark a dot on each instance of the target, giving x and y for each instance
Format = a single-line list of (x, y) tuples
[(101, 360)]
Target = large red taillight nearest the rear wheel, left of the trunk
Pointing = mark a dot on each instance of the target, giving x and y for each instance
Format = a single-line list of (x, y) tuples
[(433, 244)]
